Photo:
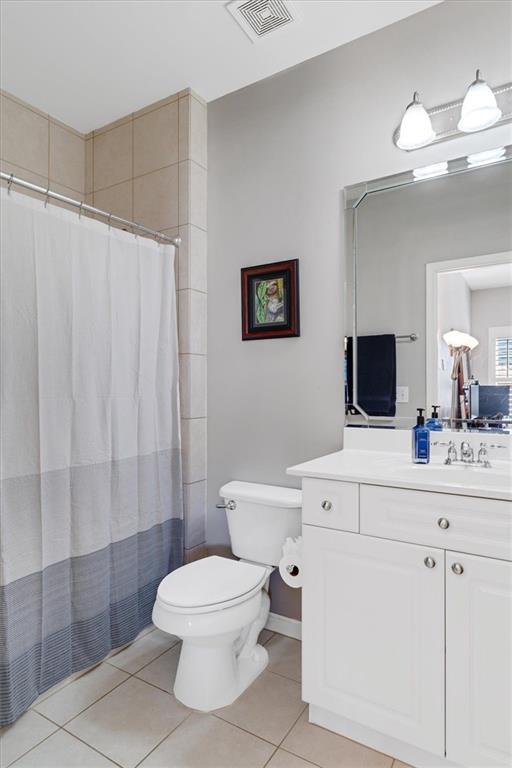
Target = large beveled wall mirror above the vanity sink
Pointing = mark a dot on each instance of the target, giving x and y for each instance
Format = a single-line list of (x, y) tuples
[(430, 281)]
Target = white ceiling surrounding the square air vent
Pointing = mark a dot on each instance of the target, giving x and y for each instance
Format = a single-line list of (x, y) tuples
[(88, 62)]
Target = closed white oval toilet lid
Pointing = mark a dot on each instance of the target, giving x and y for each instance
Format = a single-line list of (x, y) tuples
[(210, 581)]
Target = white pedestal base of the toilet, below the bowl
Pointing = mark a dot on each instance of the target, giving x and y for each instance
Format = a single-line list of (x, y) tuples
[(213, 677)]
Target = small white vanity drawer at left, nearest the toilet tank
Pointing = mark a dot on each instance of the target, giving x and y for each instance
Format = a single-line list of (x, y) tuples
[(331, 504)]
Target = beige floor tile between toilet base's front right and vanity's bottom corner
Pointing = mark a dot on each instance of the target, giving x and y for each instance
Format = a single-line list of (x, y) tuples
[(268, 708)]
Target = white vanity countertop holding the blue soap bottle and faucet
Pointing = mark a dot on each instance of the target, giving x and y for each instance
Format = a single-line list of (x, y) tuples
[(397, 470)]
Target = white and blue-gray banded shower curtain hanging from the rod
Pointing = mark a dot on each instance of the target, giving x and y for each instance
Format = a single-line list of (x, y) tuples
[(91, 516)]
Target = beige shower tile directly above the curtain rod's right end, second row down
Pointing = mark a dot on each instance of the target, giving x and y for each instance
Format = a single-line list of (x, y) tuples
[(156, 198)]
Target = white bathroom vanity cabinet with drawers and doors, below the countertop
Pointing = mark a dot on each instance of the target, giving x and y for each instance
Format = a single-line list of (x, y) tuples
[(407, 622)]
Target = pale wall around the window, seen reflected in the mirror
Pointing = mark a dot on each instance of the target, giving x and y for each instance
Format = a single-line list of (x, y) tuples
[(489, 309)]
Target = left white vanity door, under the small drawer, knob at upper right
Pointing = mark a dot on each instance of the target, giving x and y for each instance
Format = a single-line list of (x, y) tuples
[(373, 633)]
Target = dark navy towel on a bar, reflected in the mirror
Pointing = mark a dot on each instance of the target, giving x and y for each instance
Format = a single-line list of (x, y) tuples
[(376, 373)]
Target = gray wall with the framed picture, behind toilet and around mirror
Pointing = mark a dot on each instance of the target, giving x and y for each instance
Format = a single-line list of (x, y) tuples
[(280, 152)]
